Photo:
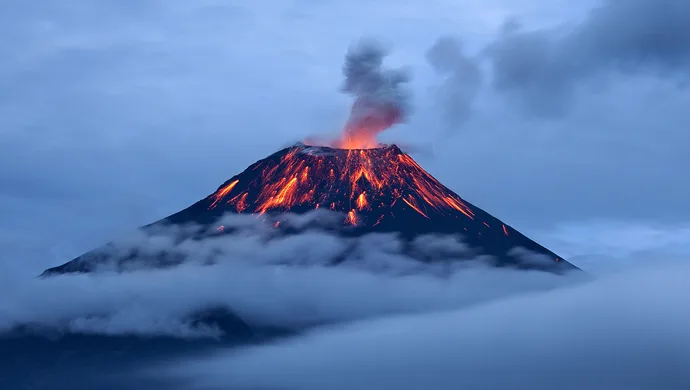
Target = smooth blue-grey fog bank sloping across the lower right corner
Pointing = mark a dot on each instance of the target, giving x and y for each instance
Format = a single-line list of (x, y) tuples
[(623, 332)]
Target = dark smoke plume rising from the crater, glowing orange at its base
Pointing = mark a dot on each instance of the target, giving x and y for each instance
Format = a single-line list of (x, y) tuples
[(381, 100)]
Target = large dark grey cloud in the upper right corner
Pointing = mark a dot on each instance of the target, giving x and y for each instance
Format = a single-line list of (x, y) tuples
[(543, 68)]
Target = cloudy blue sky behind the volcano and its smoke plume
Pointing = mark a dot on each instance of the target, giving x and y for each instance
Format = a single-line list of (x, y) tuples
[(113, 116)]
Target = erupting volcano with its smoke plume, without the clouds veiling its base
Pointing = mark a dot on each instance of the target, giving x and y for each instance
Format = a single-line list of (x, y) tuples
[(374, 188)]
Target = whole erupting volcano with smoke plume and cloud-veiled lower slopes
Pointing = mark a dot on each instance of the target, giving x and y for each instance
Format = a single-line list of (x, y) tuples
[(367, 189)]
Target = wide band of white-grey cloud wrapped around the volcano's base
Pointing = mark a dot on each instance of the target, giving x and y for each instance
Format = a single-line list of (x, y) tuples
[(290, 282)]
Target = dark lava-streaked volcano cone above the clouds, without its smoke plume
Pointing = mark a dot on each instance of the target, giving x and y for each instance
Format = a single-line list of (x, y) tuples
[(379, 190)]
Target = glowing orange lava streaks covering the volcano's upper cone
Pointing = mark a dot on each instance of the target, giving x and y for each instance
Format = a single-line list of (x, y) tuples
[(356, 182)]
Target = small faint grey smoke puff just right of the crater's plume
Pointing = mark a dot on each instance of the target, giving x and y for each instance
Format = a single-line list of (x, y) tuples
[(462, 79)]
